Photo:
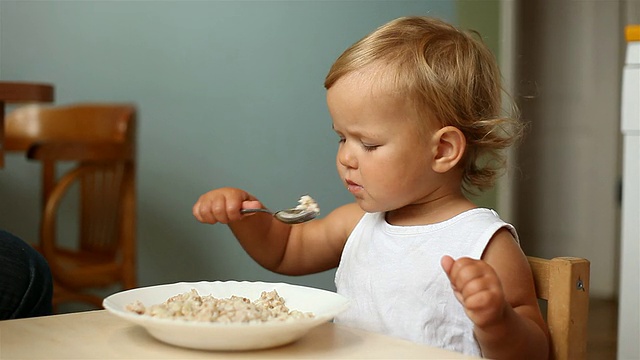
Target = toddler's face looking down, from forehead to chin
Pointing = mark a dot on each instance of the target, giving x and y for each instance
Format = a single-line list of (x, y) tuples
[(384, 158)]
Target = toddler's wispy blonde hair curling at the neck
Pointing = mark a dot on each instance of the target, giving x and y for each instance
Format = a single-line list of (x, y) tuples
[(447, 75)]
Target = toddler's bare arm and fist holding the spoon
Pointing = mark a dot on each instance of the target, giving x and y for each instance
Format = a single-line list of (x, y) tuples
[(287, 249)]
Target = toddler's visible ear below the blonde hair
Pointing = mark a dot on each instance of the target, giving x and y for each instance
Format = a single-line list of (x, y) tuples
[(450, 144)]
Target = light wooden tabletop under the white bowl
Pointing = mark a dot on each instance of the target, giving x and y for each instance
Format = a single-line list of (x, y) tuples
[(101, 335)]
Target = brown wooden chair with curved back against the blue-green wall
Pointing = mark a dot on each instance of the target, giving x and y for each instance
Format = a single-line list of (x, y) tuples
[(97, 141)]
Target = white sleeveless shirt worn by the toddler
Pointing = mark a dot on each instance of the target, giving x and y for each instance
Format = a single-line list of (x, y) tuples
[(395, 283)]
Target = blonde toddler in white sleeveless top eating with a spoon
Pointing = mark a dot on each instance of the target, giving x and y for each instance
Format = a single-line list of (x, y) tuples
[(417, 108)]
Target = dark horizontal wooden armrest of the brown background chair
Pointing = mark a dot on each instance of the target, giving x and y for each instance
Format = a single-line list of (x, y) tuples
[(79, 151)]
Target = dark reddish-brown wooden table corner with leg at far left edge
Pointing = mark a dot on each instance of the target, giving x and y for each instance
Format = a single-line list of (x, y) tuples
[(20, 92)]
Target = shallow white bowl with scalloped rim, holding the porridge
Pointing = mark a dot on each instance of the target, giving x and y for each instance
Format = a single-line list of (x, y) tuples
[(325, 305)]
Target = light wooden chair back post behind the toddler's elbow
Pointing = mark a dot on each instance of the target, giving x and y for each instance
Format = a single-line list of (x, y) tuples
[(564, 283)]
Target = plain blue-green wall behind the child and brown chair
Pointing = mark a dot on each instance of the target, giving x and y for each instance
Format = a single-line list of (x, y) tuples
[(228, 93)]
